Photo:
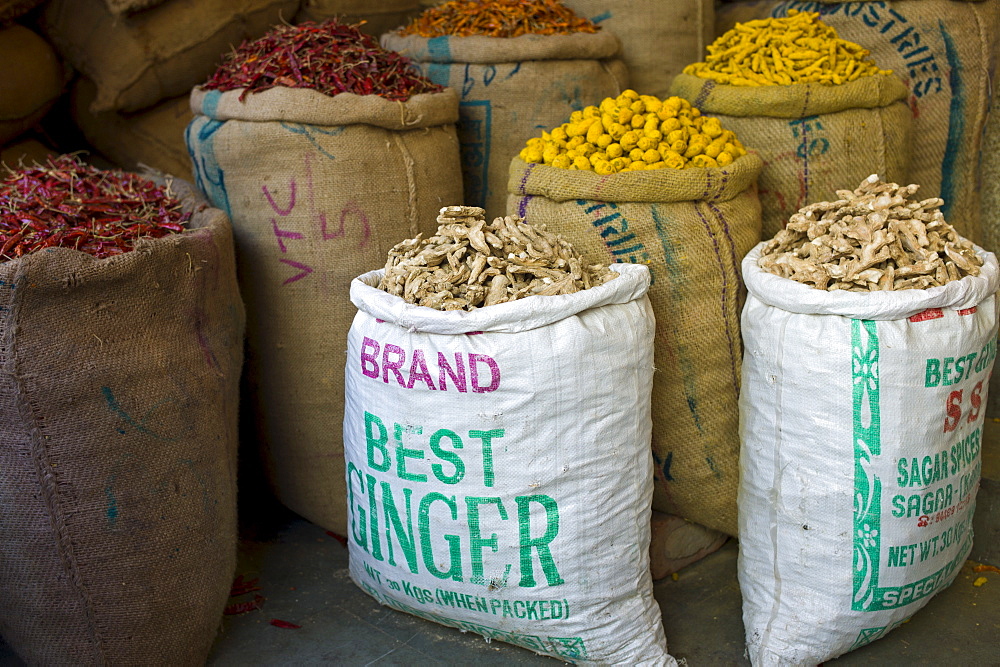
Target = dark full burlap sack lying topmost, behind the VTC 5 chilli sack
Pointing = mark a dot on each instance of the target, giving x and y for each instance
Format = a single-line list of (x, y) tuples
[(138, 60)]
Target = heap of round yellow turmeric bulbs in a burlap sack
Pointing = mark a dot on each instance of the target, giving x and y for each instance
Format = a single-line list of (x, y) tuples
[(635, 132)]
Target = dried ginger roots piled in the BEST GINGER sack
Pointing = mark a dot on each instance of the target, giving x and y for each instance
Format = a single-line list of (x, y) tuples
[(468, 263)]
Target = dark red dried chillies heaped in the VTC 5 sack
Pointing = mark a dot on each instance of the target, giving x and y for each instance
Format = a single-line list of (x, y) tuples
[(329, 57)]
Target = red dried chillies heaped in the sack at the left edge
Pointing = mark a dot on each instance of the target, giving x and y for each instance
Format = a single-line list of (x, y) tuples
[(69, 204)]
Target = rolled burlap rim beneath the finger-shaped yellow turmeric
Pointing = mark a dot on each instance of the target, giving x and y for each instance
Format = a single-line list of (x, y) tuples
[(798, 100)]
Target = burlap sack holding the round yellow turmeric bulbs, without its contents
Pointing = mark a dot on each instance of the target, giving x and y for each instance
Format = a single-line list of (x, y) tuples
[(692, 227)]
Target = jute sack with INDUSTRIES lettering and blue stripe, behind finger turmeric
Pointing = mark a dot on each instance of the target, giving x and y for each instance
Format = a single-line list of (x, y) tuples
[(944, 50)]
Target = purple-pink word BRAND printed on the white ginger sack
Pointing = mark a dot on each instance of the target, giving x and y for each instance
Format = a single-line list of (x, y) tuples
[(478, 372)]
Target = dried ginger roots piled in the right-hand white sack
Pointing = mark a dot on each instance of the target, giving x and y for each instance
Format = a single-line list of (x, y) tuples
[(871, 239)]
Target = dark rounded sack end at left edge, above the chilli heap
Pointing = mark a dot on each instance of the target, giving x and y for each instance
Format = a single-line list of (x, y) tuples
[(31, 78)]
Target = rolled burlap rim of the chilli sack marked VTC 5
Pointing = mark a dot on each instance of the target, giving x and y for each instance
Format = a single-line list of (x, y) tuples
[(311, 107)]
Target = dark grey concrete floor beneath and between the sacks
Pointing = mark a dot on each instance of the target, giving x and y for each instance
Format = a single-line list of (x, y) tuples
[(302, 572)]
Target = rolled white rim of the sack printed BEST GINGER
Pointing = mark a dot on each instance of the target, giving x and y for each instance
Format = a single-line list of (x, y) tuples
[(524, 314)]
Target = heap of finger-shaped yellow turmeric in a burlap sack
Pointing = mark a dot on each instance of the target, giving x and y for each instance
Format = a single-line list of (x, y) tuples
[(782, 51)]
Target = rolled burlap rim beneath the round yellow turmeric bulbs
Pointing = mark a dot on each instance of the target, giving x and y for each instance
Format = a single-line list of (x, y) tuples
[(654, 186)]
